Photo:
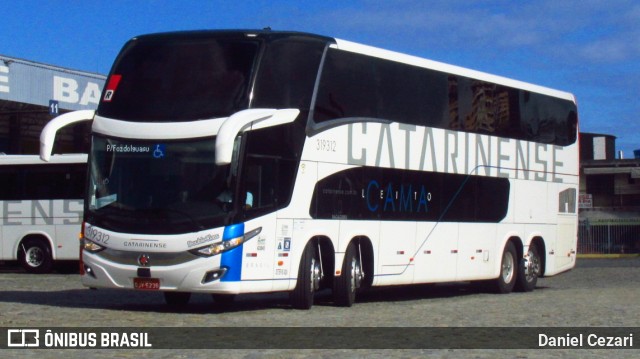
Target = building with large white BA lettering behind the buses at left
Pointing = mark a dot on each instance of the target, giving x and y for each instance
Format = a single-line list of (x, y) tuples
[(29, 91)]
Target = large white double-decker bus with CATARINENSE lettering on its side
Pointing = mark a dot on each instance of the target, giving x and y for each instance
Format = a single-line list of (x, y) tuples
[(232, 162)]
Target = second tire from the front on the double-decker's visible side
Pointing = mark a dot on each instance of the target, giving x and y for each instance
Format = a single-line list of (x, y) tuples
[(346, 285)]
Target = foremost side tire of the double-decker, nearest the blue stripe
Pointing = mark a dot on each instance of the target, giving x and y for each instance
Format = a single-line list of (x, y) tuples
[(308, 279)]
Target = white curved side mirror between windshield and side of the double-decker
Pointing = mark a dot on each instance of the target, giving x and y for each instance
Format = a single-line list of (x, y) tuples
[(240, 121)]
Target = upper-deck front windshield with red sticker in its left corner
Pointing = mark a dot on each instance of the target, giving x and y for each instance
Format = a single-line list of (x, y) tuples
[(169, 79)]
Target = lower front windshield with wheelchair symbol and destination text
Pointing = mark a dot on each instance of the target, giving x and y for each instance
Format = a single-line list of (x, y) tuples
[(154, 187)]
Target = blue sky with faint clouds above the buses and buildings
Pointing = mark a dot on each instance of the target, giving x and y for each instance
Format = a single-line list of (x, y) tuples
[(590, 48)]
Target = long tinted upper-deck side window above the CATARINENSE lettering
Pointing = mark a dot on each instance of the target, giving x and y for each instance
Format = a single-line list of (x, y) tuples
[(356, 86)]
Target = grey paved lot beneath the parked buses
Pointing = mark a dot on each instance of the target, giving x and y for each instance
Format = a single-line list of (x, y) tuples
[(598, 293)]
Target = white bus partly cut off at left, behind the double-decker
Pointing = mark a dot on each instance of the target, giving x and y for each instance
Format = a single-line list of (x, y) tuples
[(41, 207)]
